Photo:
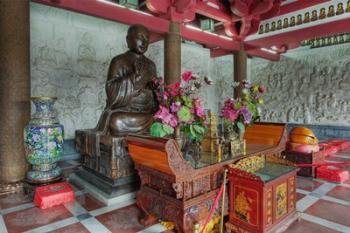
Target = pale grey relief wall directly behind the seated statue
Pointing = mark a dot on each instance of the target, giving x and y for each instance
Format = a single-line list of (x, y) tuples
[(70, 54)]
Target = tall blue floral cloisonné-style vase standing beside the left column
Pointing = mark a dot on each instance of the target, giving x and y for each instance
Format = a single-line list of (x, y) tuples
[(43, 139)]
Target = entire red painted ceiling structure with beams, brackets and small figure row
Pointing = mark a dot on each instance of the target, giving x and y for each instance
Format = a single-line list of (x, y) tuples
[(263, 28)]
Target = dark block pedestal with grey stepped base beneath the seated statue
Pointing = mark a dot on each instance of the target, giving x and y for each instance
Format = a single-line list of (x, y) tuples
[(107, 170)]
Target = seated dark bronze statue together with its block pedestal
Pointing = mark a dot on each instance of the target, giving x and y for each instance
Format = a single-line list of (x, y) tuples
[(130, 105)]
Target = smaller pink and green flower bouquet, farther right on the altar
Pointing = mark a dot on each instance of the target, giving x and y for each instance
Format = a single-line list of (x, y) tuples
[(239, 113)]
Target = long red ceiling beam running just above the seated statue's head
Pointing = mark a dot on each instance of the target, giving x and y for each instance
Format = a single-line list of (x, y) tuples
[(155, 24)]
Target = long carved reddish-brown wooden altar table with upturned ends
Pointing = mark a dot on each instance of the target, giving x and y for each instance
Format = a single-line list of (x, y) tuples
[(181, 191)]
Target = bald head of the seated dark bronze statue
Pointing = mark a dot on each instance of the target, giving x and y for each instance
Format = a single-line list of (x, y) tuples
[(138, 38)]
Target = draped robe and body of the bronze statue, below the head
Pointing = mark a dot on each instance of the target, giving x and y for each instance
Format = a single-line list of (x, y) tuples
[(125, 97)]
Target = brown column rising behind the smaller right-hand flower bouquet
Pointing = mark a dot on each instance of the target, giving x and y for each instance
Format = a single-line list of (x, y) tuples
[(239, 69)]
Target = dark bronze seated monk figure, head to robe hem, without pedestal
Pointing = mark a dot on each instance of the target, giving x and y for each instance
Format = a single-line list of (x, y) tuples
[(130, 98)]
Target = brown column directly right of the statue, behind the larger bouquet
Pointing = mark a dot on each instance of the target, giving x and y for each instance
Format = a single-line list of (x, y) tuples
[(172, 54)]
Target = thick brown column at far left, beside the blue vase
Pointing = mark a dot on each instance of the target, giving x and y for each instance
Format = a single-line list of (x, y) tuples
[(14, 92)]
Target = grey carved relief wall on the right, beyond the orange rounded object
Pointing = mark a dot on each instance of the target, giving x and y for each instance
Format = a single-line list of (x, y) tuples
[(309, 86)]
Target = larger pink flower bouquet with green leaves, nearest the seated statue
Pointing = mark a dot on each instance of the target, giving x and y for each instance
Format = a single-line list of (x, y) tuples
[(179, 108)]
